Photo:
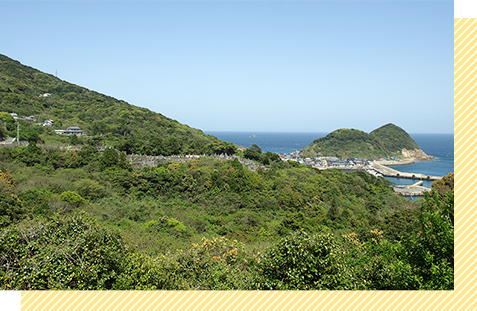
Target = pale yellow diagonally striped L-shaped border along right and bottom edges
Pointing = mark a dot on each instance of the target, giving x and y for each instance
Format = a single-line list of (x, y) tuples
[(464, 296)]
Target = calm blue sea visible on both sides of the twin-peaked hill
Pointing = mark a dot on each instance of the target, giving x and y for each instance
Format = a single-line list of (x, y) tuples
[(441, 146)]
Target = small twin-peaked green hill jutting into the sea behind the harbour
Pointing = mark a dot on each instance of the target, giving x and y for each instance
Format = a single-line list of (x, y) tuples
[(386, 141)]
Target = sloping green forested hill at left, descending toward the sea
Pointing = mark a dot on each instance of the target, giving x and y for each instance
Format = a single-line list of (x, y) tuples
[(95, 113)]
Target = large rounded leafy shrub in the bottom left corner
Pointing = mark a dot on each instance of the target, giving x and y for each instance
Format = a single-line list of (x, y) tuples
[(61, 253)]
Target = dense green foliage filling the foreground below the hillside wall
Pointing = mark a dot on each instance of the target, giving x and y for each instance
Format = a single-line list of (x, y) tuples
[(84, 219)]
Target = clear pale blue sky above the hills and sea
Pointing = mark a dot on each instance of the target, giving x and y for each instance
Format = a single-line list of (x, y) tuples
[(229, 65)]
